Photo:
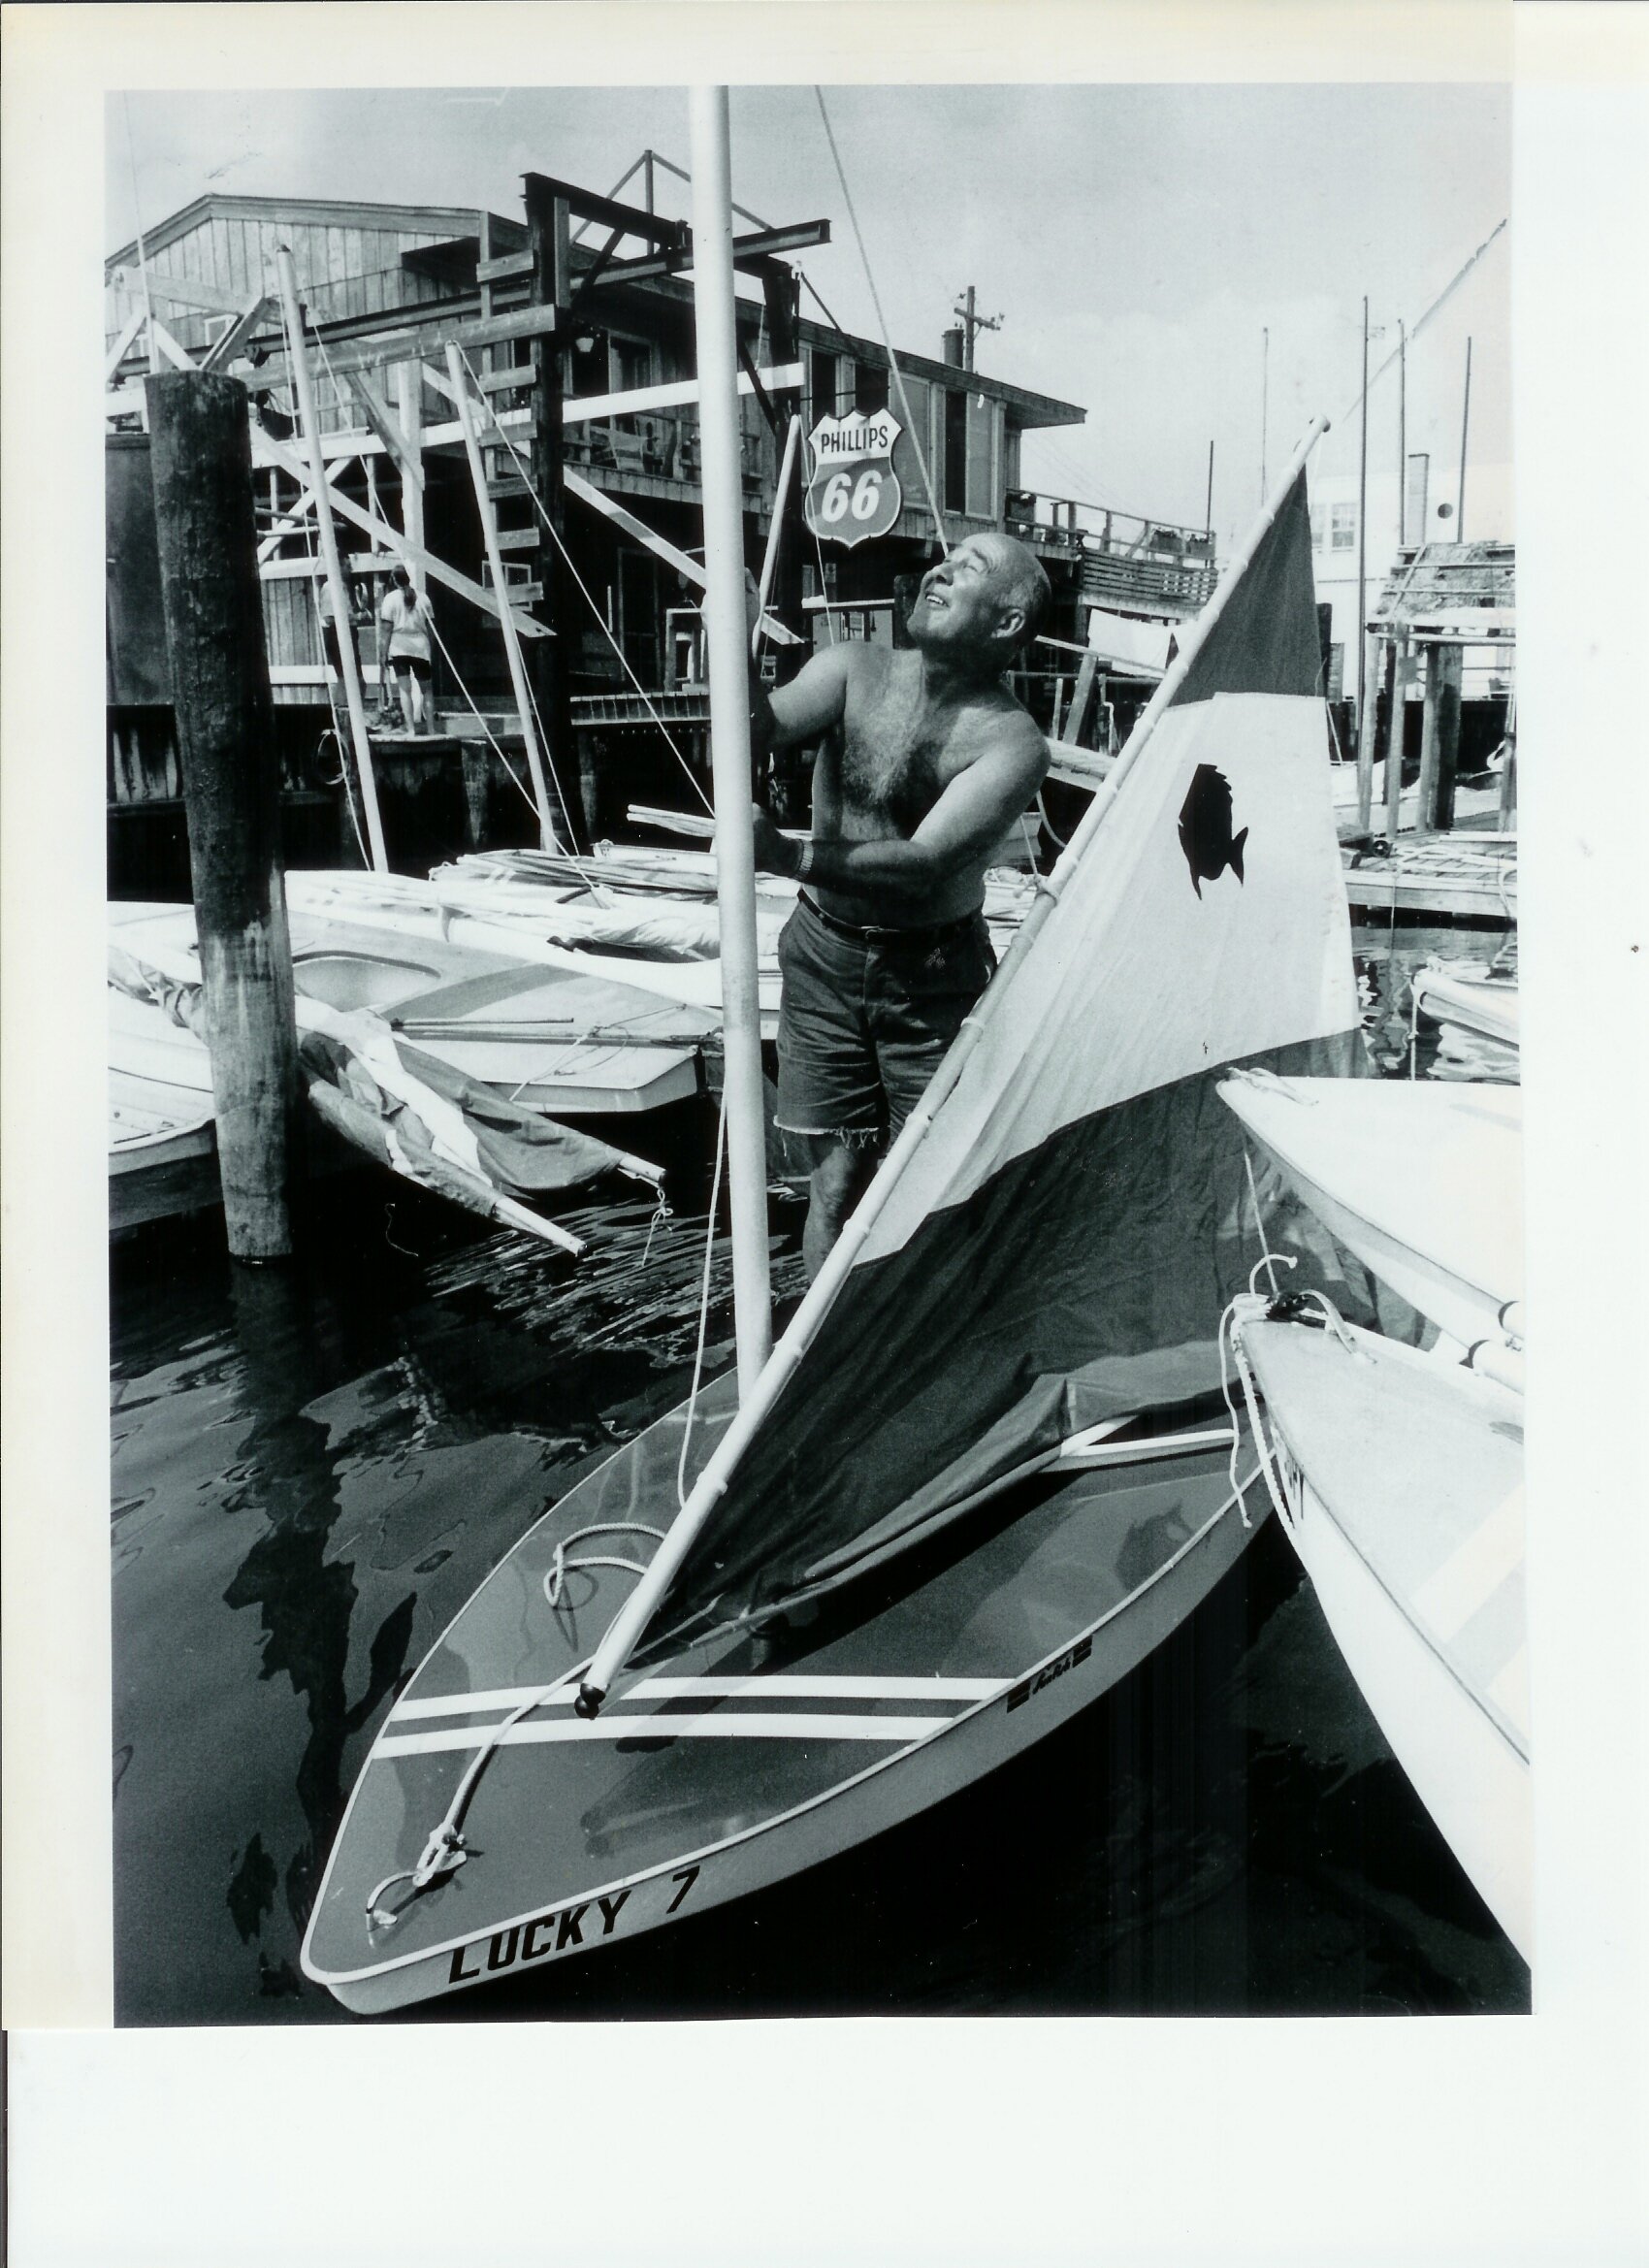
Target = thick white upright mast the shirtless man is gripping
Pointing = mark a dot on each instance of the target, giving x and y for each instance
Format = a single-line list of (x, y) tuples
[(716, 316)]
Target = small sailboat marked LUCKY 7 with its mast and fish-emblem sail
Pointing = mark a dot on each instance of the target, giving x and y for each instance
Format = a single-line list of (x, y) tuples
[(988, 1469)]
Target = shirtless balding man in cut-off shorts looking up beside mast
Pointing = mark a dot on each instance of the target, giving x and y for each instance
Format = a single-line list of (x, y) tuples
[(924, 765)]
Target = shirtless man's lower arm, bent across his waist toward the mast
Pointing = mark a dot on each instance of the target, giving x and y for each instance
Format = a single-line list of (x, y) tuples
[(965, 824)]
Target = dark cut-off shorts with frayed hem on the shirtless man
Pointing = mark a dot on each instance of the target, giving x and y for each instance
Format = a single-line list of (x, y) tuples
[(868, 1019)]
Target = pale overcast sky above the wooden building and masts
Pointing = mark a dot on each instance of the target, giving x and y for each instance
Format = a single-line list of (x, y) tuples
[(1135, 239)]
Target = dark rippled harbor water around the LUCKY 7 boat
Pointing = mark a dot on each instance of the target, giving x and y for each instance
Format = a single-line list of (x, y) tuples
[(316, 1466)]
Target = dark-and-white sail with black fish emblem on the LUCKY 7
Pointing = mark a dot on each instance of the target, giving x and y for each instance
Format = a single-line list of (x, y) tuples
[(1063, 1242)]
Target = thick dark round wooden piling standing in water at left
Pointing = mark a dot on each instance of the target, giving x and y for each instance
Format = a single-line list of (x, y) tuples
[(221, 688)]
